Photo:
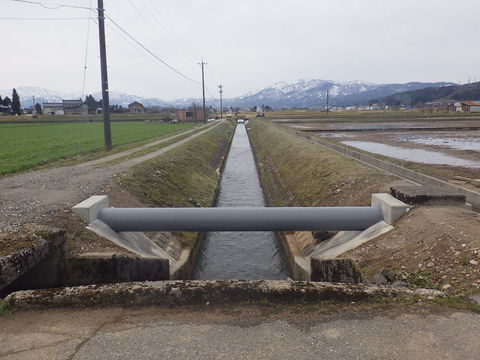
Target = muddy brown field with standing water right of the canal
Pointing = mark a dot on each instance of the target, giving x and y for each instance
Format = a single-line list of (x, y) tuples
[(444, 149)]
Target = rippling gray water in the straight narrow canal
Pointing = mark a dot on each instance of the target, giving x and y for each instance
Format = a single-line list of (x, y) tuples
[(240, 255)]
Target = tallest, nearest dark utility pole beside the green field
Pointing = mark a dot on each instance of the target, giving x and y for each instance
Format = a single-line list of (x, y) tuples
[(107, 132)]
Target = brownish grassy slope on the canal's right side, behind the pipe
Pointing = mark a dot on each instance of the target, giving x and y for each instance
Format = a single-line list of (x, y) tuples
[(296, 172)]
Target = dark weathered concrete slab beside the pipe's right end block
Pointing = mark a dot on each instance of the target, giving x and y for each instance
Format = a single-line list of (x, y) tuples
[(428, 195)]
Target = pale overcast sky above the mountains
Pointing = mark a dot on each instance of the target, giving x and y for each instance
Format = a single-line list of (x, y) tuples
[(248, 44)]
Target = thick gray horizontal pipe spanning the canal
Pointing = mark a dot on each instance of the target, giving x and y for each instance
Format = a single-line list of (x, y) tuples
[(240, 218)]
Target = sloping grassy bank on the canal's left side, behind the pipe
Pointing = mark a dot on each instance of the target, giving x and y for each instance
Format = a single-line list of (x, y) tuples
[(186, 176)]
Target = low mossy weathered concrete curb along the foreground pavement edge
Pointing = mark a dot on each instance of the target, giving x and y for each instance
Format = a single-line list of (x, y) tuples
[(172, 293)]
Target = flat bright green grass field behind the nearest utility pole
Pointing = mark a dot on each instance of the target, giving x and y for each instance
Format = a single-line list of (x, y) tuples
[(24, 146)]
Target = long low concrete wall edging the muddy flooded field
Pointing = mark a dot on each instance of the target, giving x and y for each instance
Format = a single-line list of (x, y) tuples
[(472, 197)]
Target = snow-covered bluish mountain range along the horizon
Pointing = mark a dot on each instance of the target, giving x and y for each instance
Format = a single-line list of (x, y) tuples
[(301, 94)]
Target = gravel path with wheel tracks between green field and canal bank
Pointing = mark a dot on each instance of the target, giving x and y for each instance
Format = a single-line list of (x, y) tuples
[(32, 196)]
